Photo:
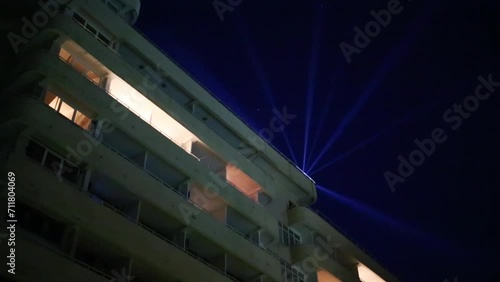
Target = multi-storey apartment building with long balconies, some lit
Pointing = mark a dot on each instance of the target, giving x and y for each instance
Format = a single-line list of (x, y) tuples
[(125, 168)]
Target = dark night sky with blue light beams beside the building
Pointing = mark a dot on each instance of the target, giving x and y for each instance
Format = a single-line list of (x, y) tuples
[(354, 119)]
